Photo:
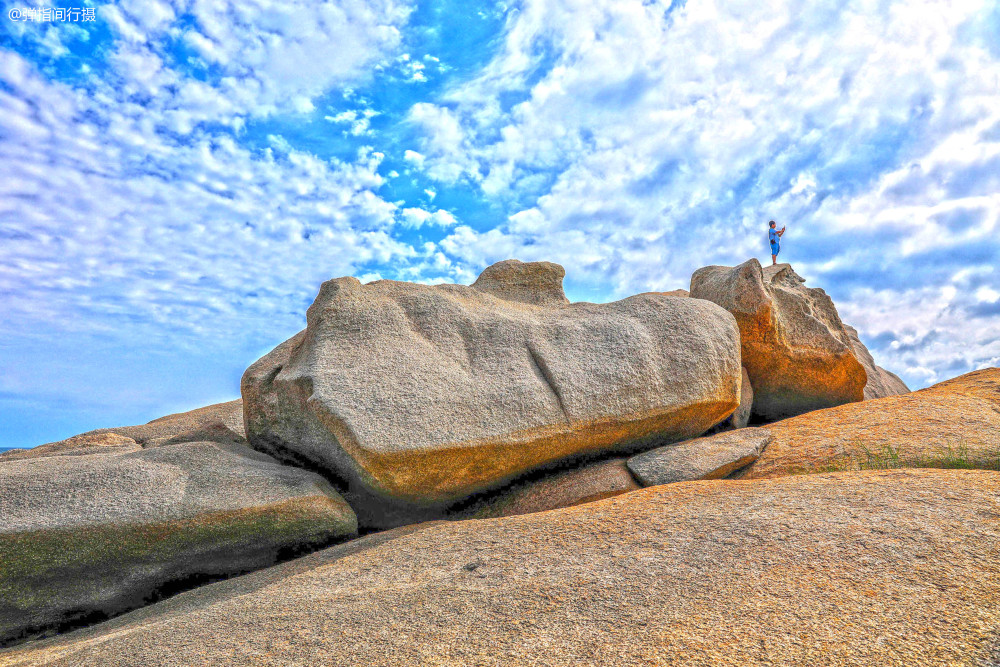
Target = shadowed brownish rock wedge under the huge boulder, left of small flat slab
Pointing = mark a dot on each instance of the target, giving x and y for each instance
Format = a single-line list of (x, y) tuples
[(559, 488)]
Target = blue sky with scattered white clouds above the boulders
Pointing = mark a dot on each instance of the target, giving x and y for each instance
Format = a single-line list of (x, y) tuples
[(177, 177)]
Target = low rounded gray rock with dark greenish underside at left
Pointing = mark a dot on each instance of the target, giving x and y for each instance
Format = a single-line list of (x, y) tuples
[(91, 535)]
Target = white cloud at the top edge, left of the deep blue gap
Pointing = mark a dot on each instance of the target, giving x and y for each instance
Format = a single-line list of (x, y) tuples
[(269, 56)]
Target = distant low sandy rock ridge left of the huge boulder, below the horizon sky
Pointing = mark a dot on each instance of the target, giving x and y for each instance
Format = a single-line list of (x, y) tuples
[(222, 422)]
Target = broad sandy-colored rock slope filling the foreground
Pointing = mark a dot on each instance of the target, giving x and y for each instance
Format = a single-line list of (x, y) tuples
[(897, 568)]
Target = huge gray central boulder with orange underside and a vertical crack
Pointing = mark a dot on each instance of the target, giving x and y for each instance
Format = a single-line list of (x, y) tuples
[(417, 396)]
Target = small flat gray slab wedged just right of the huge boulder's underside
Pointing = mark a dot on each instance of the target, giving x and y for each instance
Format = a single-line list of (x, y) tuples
[(714, 457)]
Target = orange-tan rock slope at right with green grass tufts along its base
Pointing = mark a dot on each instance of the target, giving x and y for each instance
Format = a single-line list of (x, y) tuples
[(955, 420)]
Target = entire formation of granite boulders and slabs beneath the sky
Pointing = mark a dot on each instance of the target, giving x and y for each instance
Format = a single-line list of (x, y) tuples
[(504, 401)]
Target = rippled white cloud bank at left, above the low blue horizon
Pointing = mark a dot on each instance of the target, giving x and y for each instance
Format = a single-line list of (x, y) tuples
[(103, 219)]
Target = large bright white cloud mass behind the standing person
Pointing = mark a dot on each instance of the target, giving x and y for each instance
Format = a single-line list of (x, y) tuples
[(642, 144)]
